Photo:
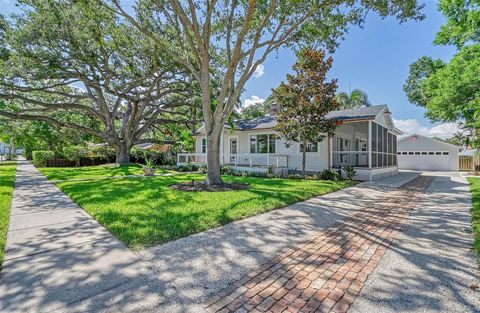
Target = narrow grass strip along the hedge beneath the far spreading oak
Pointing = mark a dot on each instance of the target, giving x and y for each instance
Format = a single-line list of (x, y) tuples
[(65, 173)]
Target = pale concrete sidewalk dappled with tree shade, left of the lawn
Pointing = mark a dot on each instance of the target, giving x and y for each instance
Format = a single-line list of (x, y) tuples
[(56, 253)]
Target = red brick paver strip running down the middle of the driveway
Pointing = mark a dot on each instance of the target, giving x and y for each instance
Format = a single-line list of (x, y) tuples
[(329, 272)]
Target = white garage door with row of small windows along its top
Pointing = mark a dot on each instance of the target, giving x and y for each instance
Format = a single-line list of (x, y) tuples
[(425, 161)]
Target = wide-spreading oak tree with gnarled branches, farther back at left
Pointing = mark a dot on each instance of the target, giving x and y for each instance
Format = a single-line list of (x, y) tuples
[(81, 58)]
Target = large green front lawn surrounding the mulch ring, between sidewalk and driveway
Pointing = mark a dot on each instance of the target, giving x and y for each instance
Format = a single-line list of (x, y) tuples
[(145, 211)]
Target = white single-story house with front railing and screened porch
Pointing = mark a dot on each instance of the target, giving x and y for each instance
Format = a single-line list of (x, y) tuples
[(365, 138)]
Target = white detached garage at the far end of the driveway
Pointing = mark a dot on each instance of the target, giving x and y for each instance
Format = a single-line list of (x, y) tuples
[(417, 152)]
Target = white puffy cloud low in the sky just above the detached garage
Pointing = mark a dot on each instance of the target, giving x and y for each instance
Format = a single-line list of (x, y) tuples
[(412, 126)]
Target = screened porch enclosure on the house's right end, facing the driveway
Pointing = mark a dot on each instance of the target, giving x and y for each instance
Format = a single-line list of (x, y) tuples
[(364, 144)]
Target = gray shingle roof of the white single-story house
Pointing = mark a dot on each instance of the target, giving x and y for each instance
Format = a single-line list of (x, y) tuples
[(270, 121)]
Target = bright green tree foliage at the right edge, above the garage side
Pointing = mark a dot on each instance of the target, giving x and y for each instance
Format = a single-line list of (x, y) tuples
[(450, 91)]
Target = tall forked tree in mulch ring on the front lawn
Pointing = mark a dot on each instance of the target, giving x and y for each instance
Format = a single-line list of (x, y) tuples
[(231, 38)]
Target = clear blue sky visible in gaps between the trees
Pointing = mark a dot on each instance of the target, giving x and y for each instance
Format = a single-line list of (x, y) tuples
[(374, 58)]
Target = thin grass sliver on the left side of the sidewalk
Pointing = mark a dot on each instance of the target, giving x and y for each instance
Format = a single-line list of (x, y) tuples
[(7, 179)]
